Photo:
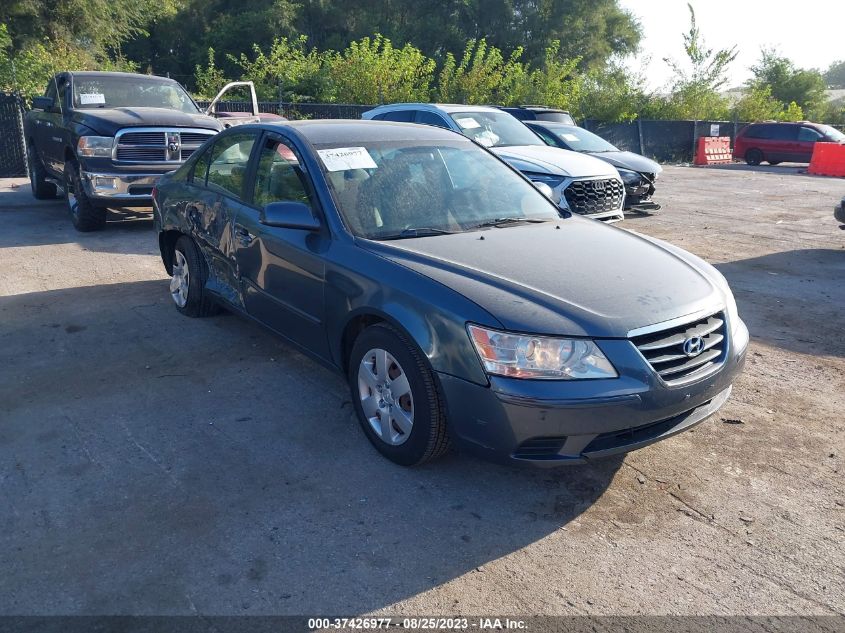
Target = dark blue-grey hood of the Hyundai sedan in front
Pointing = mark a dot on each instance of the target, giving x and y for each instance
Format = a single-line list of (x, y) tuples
[(582, 279)]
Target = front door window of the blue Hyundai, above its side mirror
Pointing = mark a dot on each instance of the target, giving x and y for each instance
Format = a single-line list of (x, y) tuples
[(280, 177)]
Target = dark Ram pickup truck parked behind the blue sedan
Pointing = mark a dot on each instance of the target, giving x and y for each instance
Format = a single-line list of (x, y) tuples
[(106, 138)]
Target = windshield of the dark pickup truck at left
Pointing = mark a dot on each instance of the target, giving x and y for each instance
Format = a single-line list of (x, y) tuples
[(130, 92)]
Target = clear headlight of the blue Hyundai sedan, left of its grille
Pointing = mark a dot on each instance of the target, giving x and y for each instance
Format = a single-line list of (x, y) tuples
[(527, 356)]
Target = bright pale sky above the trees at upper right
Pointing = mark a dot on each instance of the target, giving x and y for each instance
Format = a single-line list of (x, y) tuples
[(809, 32)]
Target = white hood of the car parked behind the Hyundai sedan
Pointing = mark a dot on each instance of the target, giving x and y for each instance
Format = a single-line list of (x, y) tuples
[(554, 161)]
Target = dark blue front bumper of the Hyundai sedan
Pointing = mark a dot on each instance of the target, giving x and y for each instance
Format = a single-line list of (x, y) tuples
[(551, 423)]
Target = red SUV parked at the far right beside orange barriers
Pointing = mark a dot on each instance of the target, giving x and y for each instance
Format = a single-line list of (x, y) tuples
[(782, 142)]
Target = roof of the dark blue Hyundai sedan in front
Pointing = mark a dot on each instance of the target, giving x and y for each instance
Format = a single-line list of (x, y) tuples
[(339, 131)]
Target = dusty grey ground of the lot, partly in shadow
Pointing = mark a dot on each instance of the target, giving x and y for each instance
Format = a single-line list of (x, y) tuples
[(153, 464)]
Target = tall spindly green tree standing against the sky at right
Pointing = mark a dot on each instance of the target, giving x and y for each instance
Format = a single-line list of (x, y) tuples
[(696, 83)]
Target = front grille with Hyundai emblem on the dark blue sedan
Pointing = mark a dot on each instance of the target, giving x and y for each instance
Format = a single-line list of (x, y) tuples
[(686, 351)]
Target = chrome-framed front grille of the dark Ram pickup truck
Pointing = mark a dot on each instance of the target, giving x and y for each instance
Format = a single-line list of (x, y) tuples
[(158, 145)]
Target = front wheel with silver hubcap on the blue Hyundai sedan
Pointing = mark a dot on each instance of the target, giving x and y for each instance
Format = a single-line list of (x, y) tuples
[(395, 396)]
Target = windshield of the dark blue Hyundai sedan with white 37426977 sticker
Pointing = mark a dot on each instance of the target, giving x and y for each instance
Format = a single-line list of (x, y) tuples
[(399, 189)]
